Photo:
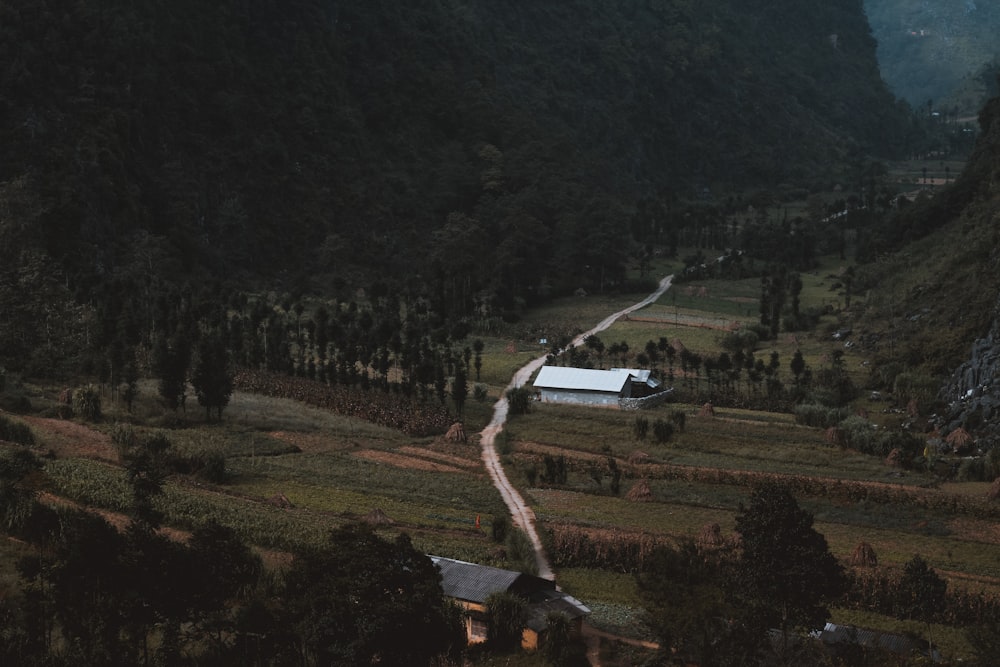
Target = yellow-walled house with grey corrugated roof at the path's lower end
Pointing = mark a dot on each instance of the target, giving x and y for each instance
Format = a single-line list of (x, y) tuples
[(469, 584)]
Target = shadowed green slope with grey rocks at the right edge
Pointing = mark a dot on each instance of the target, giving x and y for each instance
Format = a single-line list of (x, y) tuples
[(929, 304)]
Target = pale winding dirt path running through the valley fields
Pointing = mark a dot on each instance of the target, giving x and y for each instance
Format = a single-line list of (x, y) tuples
[(522, 515)]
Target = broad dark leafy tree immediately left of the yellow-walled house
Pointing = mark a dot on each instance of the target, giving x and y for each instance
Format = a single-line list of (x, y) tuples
[(362, 600)]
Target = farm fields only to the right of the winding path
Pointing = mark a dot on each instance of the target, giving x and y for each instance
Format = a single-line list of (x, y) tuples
[(702, 475)]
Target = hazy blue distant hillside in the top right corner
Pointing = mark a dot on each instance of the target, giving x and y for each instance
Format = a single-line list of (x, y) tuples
[(930, 52)]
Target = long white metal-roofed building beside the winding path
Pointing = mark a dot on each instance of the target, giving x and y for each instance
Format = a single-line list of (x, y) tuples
[(586, 386)]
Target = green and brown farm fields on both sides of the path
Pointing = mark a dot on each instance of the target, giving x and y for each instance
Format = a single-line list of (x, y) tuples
[(293, 472)]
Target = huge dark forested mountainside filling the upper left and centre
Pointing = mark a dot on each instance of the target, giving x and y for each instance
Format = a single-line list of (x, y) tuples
[(481, 154)]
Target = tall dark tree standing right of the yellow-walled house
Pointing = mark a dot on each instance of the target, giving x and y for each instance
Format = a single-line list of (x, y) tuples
[(786, 570)]
